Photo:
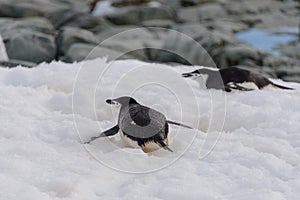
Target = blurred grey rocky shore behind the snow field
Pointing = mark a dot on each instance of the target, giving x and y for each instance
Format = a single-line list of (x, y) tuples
[(36, 31)]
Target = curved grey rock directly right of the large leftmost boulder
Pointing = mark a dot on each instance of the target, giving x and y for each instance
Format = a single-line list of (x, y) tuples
[(70, 35)]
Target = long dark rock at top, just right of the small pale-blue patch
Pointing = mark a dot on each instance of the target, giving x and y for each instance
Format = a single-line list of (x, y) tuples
[(136, 15)]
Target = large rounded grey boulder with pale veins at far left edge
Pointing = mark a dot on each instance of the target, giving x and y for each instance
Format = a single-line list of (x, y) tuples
[(28, 39)]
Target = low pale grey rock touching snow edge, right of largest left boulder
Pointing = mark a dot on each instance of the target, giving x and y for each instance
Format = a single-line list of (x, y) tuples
[(78, 52)]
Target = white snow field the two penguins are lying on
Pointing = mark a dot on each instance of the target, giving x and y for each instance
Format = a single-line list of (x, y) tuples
[(247, 145)]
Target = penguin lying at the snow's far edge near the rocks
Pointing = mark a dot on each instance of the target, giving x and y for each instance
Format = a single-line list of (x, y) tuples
[(232, 78)]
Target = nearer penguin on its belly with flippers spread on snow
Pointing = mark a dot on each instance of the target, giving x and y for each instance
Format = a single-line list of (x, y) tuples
[(139, 126)]
